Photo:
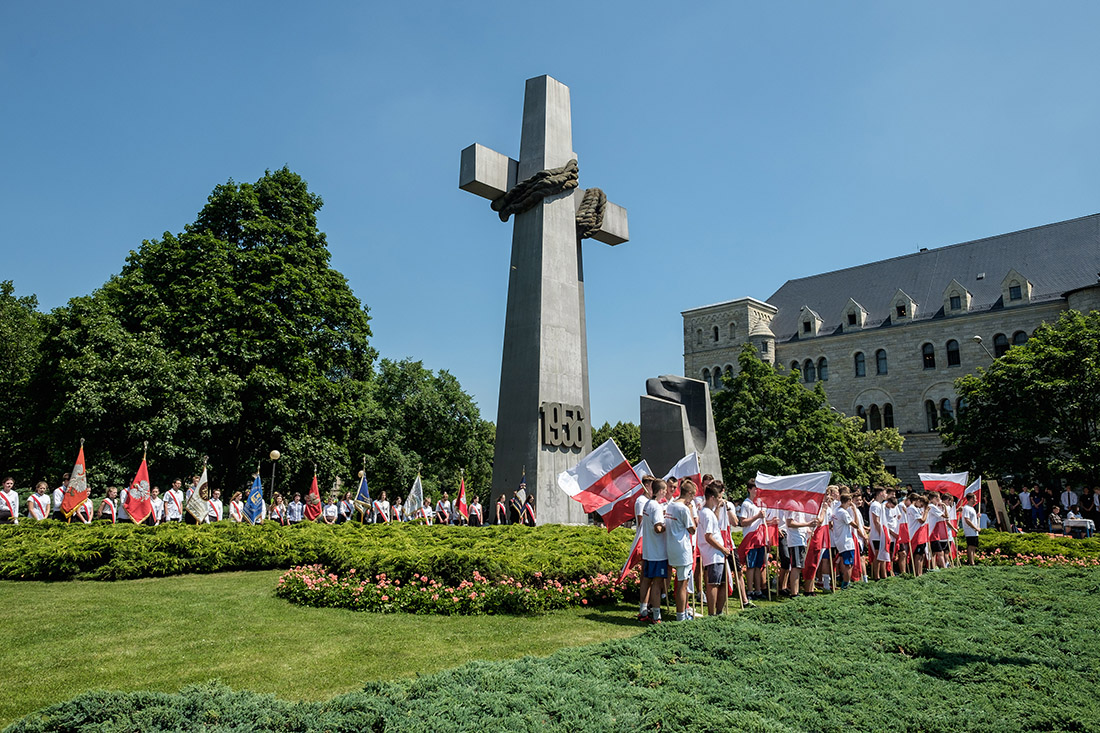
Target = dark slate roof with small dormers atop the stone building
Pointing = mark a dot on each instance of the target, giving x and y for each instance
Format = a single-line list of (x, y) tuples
[(1055, 259)]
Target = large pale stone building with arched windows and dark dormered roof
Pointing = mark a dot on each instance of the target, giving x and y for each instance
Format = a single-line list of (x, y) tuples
[(890, 338)]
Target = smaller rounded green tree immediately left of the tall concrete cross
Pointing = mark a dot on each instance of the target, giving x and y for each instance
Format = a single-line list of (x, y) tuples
[(426, 420)]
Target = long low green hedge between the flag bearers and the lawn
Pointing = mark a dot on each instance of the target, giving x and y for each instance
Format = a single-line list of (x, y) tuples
[(53, 551)]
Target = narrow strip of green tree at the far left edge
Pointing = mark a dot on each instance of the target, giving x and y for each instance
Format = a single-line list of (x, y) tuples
[(23, 330)]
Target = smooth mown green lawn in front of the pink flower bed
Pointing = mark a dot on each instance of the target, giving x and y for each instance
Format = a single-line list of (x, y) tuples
[(63, 639)]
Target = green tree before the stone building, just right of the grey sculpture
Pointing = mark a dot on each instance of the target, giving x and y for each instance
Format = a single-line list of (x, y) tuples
[(767, 421)]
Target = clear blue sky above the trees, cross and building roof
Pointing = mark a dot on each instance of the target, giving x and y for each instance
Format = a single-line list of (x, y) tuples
[(751, 144)]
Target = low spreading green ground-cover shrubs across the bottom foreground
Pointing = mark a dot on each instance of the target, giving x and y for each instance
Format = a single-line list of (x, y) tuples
[(973, 649)]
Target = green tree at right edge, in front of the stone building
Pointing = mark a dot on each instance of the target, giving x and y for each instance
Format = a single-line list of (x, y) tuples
[(1036, 412)]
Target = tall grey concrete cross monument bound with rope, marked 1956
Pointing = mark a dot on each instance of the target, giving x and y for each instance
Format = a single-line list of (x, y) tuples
[(543, 418)]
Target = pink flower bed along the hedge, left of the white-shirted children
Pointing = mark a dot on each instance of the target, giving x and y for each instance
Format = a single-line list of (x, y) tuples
[(316, 586)]
